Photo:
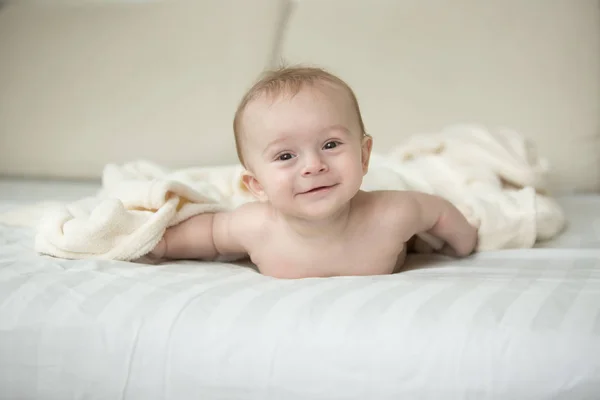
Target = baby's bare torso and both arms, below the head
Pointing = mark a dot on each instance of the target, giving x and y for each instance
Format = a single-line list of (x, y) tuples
[(370, 239)]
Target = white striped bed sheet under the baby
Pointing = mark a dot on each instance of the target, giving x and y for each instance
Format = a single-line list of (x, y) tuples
[(509, 324)]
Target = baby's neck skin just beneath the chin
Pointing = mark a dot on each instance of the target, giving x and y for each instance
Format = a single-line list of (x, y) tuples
[(330, 227)]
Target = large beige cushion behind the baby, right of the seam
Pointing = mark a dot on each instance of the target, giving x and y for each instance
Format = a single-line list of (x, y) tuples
[(417, 66)]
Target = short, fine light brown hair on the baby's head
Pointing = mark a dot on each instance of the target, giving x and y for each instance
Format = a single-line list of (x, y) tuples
[(289, 80)]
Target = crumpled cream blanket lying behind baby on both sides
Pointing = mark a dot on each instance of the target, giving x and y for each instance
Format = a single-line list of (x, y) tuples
[(495, 177)]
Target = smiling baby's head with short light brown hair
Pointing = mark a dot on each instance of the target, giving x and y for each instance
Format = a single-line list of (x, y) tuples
[(300, 135)]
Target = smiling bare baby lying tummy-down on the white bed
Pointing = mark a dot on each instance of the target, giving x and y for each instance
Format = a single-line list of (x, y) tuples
[(301, 139)]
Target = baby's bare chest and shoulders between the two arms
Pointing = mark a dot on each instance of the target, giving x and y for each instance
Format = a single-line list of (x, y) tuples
[(366, 246)]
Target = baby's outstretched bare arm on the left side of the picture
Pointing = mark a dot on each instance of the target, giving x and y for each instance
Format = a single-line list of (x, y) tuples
[(209, 235)]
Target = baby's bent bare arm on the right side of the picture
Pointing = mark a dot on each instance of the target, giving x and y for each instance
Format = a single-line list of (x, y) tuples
[(422, 212)]
